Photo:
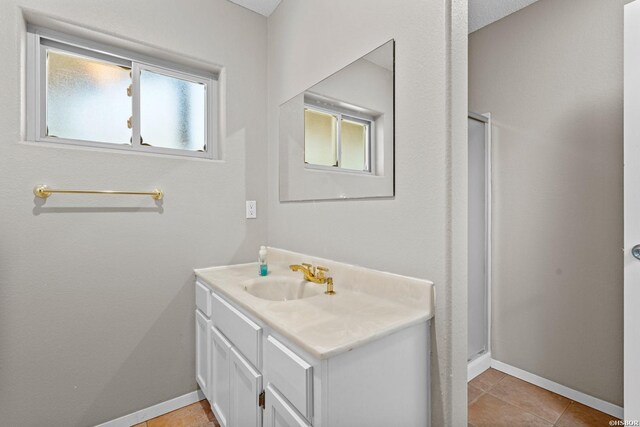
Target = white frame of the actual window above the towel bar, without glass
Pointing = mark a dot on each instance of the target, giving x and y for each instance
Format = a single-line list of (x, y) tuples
[(40, 40)]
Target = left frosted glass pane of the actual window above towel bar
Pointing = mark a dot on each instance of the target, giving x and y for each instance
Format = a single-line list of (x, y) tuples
[(87, 99)]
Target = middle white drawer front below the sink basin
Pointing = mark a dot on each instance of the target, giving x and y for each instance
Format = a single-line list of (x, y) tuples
[(243, 333)]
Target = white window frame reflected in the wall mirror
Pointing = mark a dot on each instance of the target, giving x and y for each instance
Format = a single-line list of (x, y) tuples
[(340, 114)]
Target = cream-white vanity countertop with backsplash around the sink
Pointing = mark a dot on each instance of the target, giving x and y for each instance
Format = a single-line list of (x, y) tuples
[(327, 325)]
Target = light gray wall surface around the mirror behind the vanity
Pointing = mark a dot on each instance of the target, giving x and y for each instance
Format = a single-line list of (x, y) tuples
[(410, 233)]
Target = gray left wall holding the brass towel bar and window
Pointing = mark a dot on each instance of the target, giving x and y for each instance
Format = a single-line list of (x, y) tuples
[(96, 293)]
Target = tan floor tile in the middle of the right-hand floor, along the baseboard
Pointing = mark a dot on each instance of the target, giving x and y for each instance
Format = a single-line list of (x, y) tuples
[(531, 398)]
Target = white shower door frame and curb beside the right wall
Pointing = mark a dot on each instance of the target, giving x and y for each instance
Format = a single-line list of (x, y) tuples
[(483, 361)]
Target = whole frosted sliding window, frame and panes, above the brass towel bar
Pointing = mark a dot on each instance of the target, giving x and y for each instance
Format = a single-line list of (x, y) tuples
[(90, 94)]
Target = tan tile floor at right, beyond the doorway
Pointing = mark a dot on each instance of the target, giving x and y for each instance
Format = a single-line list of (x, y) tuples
[(497, 399)]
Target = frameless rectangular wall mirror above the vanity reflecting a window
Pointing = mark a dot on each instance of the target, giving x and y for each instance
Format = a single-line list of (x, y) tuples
[(336, 138)]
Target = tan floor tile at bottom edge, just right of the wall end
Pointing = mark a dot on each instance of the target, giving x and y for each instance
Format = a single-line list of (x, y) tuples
[(489, 411)]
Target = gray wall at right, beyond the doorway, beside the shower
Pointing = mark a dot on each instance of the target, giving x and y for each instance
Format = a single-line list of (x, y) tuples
[(551, 75)]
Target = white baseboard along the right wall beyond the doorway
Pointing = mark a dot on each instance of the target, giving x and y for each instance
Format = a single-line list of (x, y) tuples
[(585, 399)]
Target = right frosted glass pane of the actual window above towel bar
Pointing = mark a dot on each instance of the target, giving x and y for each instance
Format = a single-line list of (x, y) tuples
[(172, 112)]
